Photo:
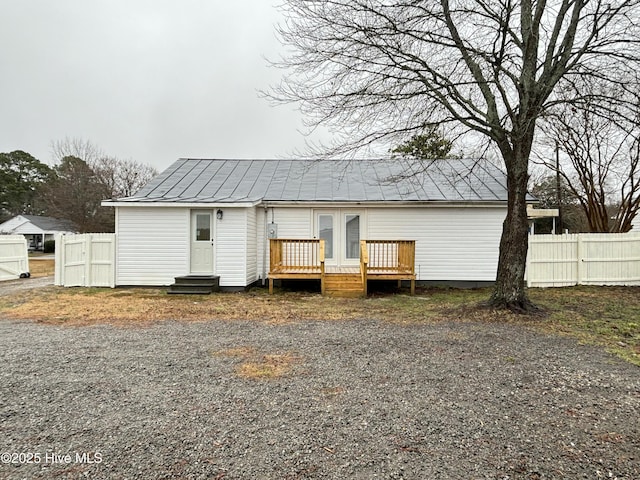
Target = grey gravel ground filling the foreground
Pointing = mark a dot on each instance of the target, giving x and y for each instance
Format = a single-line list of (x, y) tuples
[(364, 400)]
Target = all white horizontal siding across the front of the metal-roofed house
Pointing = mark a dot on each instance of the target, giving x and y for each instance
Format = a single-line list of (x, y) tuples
[(452, 243)]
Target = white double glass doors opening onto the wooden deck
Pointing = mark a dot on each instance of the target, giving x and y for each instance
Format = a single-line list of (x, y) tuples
[(341, 231)]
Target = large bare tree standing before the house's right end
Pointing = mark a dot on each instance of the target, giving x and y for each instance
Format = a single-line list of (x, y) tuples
[(375, 70)]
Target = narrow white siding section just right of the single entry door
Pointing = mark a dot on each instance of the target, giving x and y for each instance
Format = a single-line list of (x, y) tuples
[(231, 248)]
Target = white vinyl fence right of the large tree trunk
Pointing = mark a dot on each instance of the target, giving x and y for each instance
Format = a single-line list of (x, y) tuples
[(583, 259)]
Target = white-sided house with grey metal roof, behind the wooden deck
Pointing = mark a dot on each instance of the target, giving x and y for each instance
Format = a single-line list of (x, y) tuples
[(216, 217)]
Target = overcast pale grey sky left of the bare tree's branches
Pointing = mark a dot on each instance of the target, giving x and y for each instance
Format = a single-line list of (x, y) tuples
[(148, 80)]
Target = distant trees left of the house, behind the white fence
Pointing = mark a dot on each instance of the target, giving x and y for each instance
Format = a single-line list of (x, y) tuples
[(73, 188)]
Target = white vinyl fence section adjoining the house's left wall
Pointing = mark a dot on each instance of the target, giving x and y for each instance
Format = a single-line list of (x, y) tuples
[(86, 260)]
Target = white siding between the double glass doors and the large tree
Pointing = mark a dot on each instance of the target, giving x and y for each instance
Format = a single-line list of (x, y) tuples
[(452, 243)]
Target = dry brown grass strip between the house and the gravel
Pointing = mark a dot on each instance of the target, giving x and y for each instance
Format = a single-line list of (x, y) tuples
[(608, 316)]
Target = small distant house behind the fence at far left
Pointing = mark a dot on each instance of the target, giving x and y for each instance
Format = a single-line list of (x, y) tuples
[(36, 229)]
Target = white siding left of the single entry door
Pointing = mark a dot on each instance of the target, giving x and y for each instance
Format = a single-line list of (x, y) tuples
[(152, 245)]
